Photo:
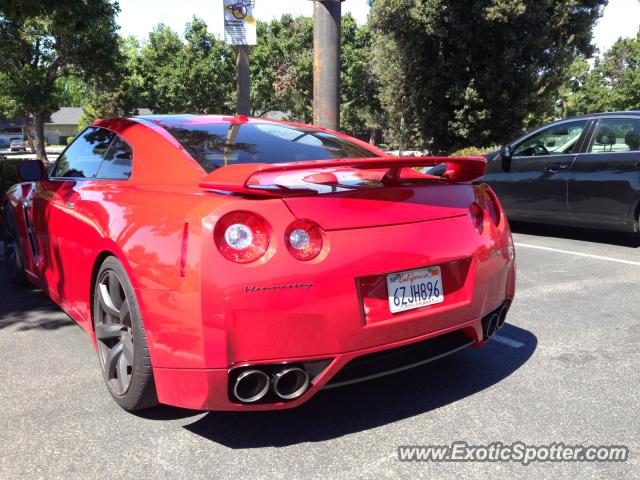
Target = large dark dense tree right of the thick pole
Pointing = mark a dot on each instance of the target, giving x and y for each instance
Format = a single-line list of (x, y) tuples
[(470, 72)]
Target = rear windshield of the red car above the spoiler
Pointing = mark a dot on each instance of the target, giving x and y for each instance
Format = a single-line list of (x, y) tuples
[(216, 145)]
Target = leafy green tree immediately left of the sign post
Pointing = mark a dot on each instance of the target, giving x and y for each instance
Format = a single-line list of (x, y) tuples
[(196, 76)]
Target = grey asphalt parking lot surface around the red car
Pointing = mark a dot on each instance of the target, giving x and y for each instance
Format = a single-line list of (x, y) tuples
[(564, 369)]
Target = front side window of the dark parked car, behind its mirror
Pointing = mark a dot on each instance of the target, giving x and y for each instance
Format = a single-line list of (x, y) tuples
[(556, 140)]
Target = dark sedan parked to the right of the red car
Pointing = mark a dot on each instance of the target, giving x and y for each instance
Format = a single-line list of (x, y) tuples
[(582, 171)]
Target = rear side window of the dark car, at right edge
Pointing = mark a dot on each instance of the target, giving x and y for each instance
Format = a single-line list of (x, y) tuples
[(616, 135)]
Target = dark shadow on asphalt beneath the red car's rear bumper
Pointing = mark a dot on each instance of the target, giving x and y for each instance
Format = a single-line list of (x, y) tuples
[(355, 408)]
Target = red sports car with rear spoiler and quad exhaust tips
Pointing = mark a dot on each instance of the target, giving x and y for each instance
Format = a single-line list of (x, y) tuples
[(228, 263)]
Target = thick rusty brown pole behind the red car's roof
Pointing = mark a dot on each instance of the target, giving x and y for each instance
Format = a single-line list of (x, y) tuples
[(327, 25)]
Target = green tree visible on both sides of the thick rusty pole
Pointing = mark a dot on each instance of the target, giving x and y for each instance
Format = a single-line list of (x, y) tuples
[(282, 72)]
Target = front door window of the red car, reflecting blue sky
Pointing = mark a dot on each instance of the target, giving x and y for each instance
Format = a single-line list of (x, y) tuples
[(83, 157)]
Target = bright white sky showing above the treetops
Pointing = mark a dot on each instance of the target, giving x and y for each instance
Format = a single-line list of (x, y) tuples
[(138, 17)]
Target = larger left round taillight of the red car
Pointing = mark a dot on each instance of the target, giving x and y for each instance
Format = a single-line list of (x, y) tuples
[(241, 237)]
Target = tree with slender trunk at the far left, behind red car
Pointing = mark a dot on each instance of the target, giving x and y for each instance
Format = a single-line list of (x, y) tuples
[(42, 42)]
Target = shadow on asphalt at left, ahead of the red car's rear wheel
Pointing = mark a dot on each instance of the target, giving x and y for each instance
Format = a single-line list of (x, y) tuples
[(27, 308)]
